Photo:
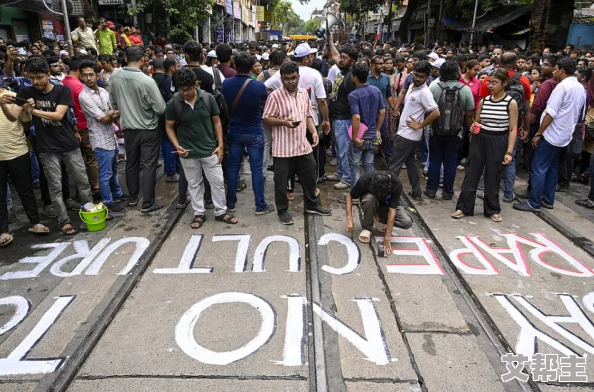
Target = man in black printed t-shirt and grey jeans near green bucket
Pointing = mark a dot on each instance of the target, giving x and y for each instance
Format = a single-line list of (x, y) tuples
[(57, 141)]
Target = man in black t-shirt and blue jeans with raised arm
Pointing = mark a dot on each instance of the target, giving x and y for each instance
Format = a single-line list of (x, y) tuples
[(340, 111)]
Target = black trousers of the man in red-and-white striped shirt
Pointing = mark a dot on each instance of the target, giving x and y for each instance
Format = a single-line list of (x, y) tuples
[(305, 167)]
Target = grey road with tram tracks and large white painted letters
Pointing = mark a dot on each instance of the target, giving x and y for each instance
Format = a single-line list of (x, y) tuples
[(150, 304)]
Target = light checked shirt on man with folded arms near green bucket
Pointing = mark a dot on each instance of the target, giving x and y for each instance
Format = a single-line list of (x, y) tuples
[(95, 105)]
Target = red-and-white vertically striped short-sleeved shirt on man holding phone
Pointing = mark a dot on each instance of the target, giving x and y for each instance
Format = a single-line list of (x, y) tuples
[(289, 142)]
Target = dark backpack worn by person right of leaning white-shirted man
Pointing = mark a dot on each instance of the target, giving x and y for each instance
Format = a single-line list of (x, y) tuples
[(451, 118)]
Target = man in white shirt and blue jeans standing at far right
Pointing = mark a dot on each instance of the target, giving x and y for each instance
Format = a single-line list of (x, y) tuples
[(565, 108)]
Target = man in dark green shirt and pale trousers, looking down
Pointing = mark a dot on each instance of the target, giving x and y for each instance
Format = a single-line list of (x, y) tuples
[(194, 128)]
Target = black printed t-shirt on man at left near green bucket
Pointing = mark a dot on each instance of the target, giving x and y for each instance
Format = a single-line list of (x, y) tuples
[(52, 136)]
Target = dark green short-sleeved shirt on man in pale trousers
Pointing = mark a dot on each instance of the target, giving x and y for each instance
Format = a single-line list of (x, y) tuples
[(195, 131)]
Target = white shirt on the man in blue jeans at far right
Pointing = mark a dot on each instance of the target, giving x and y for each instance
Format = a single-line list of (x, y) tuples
[(566, 105)]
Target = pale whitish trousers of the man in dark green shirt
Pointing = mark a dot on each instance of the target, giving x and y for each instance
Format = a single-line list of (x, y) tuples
[(213, 170)]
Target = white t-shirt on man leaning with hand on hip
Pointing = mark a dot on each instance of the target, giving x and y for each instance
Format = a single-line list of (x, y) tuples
[(417, 103)]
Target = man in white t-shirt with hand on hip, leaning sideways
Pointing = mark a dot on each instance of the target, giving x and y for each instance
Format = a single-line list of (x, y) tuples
[(420, 110)]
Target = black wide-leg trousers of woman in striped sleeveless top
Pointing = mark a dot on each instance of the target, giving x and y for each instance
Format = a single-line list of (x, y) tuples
[(486, 153)]
